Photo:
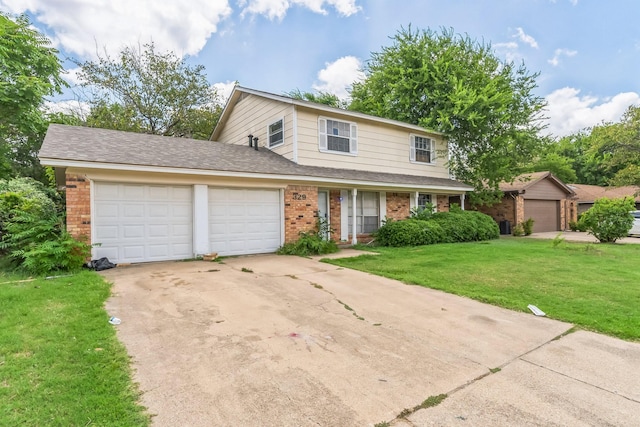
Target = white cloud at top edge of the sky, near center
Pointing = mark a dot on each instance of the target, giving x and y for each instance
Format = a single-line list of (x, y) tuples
[(277, 9)]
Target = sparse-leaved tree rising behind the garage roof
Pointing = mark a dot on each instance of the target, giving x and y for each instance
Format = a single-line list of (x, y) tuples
[(151, 92)]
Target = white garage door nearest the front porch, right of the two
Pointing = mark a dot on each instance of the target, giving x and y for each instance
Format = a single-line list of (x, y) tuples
[(244, 221)]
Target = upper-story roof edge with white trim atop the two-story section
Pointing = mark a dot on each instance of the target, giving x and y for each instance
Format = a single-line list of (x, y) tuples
[(239, 91)]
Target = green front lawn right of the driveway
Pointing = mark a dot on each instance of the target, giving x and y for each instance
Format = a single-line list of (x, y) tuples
[(595, 286)]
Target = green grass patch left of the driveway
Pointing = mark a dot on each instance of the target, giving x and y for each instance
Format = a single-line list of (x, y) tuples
[(60, 361)]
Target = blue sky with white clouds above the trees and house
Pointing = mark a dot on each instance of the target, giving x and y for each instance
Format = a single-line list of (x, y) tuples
[(587, 51)]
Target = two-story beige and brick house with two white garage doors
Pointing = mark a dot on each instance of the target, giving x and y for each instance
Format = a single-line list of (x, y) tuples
[(278, 164)]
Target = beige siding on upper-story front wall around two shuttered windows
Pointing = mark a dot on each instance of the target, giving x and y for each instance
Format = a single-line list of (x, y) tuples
[(380, 148)]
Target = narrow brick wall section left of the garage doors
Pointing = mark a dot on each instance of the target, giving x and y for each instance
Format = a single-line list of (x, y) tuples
[(78, 193)]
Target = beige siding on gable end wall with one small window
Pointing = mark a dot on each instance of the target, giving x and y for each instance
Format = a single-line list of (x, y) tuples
[(252, 115)]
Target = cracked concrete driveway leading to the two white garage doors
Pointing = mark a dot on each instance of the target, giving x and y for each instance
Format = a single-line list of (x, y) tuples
[(287, 341)]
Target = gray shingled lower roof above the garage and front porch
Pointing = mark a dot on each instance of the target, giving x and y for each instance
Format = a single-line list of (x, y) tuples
[(65, 145)]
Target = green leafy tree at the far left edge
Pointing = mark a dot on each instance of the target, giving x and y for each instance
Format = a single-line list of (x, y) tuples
[(29, 72)]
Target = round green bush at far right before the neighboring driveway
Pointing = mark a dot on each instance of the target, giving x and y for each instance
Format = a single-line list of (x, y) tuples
[(609, 219)]
